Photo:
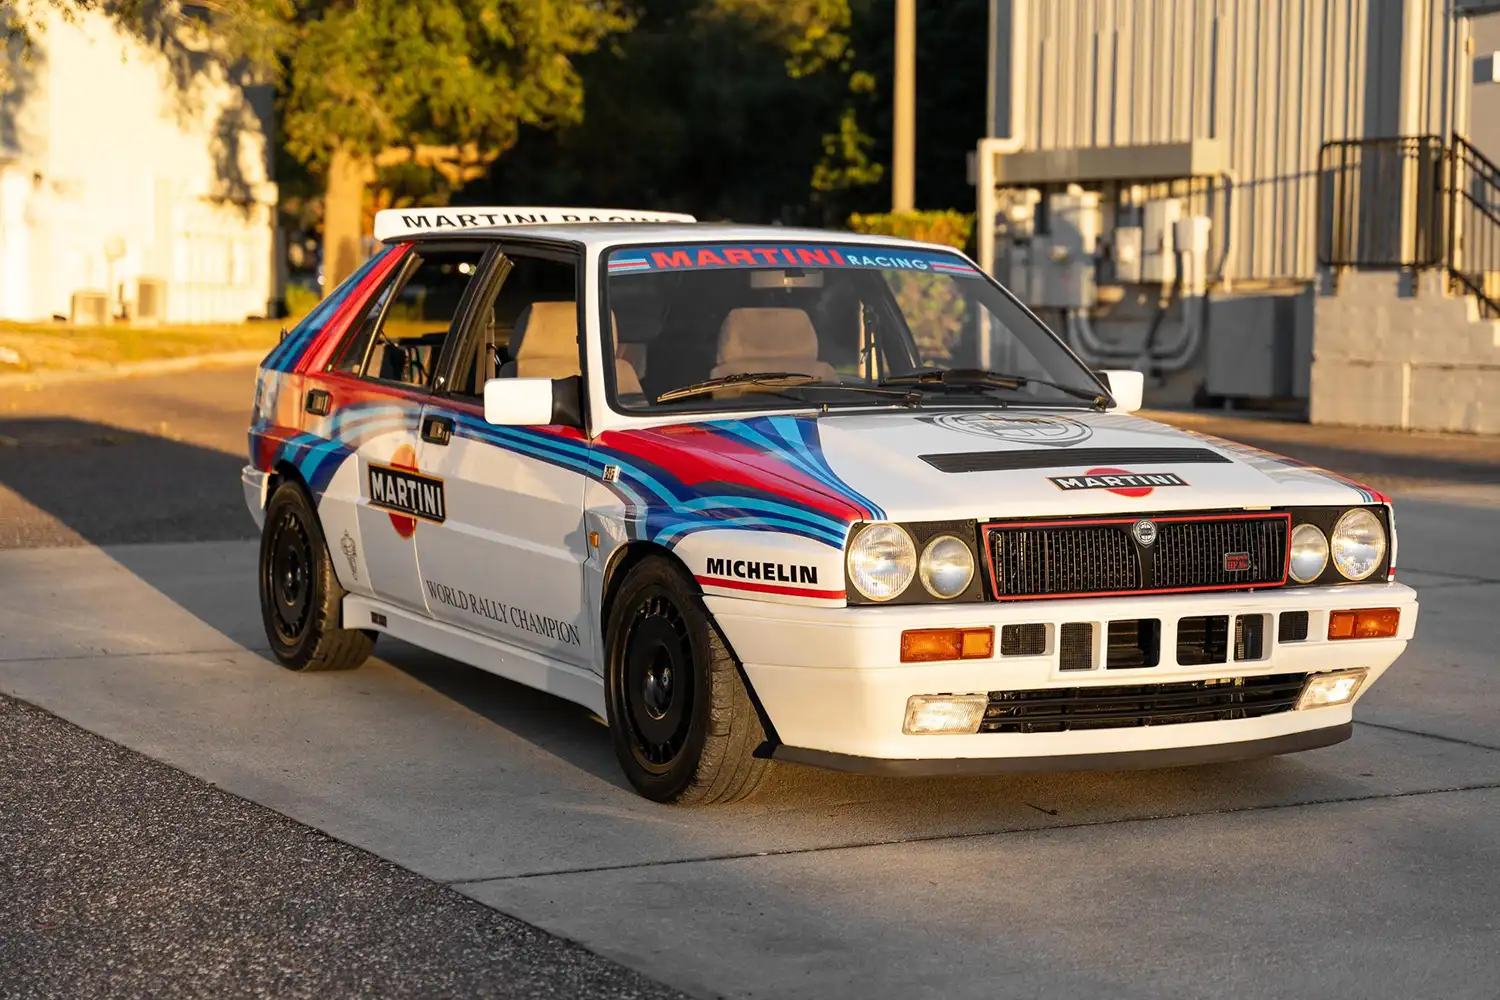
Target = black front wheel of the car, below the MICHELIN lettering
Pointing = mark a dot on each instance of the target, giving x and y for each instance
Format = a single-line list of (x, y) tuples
[(683, 723)]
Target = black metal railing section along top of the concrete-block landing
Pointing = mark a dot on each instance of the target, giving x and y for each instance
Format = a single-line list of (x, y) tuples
[(1363, 190)]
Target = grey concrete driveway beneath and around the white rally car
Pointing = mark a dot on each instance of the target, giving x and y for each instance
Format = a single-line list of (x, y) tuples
[(1369, 869)]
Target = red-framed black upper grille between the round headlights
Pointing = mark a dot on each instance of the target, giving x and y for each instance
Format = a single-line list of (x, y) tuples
[(1078, 558)]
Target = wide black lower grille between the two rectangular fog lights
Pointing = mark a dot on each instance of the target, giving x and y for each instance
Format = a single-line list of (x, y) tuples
[(1124, 707)]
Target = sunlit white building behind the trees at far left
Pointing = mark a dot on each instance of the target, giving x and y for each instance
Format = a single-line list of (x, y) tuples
[(136, 181)]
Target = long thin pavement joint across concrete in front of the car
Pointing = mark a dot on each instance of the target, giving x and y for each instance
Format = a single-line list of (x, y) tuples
[(791, 852)]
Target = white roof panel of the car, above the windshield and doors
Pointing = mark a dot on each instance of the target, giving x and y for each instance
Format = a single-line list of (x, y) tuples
[(604, 235)]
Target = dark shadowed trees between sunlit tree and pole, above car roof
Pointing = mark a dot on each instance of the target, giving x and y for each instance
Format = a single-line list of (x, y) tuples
[(715, 107)]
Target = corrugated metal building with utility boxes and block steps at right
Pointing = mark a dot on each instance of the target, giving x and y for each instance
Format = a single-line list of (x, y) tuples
[(1271, 200)]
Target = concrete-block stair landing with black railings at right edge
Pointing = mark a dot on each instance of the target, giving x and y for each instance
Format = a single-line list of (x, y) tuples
[(1408, 308)]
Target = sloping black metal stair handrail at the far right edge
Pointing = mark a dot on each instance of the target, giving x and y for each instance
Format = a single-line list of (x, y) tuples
[(1474, 230)]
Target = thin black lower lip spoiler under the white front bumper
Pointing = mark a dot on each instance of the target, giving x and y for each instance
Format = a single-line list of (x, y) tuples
[(1121, 761)]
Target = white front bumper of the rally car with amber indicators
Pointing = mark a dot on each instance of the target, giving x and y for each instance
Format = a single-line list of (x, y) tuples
[(833, 687)]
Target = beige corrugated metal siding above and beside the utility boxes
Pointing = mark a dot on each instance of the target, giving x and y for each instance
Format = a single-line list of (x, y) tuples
[(1274, 79)]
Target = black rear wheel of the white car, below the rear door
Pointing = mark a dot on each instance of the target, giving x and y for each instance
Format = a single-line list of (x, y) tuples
[(301, 596)]
